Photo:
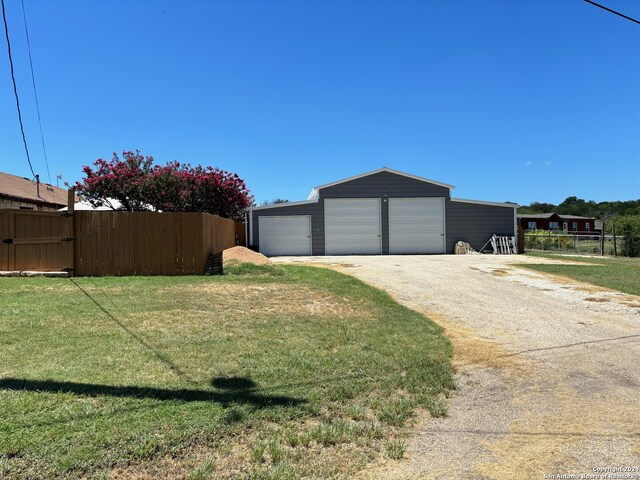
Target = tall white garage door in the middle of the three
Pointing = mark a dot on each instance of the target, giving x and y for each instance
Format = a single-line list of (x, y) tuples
[(352, 226)]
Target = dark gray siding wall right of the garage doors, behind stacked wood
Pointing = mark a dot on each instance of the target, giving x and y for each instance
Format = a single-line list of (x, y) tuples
[(475, 223)]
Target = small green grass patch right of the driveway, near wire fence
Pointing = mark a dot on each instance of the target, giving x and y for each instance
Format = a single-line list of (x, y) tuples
[(617, 273)]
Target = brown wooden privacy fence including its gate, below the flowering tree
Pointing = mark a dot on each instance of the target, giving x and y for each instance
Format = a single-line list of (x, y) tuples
[(97, 243)]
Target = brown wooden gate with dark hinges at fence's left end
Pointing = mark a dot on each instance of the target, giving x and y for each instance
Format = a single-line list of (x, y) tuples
[(36, 240)]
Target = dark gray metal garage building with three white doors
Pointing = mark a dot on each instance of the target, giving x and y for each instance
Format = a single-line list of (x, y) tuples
[(384, 212)]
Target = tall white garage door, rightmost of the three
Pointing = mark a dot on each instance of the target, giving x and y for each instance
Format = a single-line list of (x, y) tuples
[(416, 225)]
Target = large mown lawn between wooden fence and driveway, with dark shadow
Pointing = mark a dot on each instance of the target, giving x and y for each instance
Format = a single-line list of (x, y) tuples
[(267, 372)]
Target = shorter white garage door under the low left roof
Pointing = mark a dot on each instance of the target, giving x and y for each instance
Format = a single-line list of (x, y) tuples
[(285, 235)]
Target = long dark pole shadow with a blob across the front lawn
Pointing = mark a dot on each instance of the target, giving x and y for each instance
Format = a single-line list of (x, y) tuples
[(229, 390)]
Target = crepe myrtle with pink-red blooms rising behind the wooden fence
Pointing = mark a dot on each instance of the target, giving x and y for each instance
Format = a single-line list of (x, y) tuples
[(137, 184)]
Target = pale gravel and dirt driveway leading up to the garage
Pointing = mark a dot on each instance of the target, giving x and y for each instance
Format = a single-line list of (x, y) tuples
[(548, 370)]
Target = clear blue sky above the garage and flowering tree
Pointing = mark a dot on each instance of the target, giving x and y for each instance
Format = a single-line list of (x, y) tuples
[(507, 100)]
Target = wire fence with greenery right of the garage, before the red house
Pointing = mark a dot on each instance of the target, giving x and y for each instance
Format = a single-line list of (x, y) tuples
[(579, 242)]
